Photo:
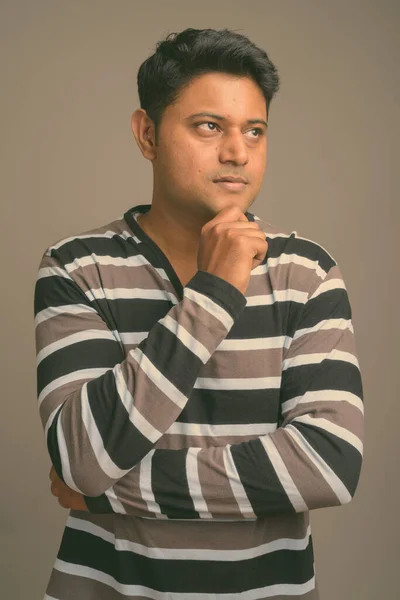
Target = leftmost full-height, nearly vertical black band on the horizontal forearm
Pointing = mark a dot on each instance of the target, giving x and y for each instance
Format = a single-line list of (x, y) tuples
[(170, 488)]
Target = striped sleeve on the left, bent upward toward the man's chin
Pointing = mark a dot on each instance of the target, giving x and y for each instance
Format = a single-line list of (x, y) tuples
[(103, 411)]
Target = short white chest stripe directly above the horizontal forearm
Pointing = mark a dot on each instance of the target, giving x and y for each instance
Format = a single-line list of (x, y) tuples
[(207, 429)]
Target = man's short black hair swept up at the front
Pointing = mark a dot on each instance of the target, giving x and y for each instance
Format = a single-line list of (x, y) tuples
[(181, 57)]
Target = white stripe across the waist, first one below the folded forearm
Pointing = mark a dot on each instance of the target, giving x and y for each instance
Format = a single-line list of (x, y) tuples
[(225, 555)]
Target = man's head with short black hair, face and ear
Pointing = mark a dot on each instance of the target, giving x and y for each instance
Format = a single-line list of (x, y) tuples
[(205, 71)]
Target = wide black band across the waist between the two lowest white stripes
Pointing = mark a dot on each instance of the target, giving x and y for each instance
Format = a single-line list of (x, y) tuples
[(188, 576)]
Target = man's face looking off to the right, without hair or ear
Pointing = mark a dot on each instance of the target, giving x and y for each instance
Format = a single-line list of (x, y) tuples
[(194, 151)]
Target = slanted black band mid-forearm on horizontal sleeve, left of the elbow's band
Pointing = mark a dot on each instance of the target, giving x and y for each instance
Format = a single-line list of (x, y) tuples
[(260, 481)]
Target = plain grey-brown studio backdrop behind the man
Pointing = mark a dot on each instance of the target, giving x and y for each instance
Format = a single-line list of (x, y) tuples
[(69, 162)]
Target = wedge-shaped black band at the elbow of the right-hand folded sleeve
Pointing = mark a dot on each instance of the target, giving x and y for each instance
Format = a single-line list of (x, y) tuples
[(344, 460)]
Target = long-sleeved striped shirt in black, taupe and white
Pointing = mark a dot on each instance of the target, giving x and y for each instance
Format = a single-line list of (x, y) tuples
[(201, 424)]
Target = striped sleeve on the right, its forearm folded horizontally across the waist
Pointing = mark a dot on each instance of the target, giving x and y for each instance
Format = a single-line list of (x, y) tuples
[(312, 460)]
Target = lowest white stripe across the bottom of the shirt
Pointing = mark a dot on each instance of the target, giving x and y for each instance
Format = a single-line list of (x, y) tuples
[(130, 590)]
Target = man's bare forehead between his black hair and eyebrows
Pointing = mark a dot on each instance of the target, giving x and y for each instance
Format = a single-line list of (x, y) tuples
[(236, 97)]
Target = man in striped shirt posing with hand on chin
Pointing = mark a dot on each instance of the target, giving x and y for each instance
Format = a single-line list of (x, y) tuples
[(197, 374)]
